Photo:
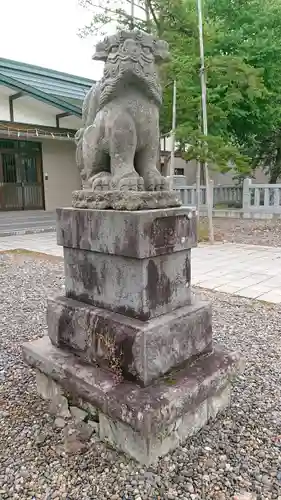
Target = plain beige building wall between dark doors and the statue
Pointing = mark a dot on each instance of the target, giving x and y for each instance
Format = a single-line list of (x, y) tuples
[(60, 173)]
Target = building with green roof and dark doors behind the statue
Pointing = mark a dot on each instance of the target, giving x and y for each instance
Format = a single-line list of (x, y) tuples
[(40, 111)]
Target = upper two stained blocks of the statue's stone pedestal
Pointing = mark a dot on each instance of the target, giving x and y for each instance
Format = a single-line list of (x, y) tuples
[(135, 263)]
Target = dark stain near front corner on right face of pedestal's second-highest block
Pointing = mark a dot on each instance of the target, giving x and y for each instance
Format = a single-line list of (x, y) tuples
[(158, 286)]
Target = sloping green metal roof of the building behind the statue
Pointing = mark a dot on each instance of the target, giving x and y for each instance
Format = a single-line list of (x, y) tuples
[(59, 89)]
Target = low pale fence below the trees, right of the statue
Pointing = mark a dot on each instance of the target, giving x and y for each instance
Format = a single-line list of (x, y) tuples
[(251, 199)]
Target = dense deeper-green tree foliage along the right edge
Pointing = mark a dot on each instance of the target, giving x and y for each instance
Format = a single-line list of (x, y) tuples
[(251, 29)]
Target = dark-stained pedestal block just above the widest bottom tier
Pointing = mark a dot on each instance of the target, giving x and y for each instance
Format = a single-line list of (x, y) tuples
[(144, 350)]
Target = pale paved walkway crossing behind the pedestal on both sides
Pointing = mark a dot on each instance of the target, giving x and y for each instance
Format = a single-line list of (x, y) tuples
[(244, 270)]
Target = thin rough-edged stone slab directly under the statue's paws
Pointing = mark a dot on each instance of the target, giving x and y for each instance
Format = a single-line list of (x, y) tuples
[(125, 200)]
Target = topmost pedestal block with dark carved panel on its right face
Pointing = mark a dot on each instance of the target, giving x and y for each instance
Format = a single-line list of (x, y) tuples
[(137, 234)]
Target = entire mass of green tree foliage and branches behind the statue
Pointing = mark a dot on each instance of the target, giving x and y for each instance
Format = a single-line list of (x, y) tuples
[(243, 67)]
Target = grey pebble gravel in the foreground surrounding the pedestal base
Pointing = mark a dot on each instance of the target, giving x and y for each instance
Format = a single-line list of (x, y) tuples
[(237, 452)]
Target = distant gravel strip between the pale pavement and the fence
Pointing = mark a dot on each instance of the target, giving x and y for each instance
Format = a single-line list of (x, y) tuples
[(252, 232)]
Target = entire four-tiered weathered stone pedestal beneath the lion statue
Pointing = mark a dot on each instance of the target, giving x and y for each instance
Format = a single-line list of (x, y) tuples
[(127, 342)]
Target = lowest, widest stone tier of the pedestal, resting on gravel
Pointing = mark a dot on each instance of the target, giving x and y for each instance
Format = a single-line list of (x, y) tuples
[(145, 422)]
